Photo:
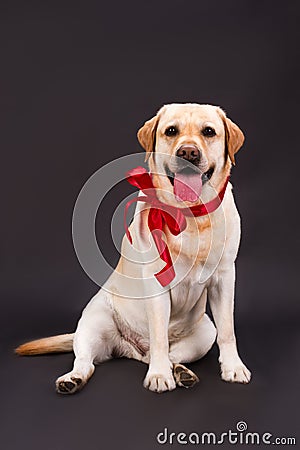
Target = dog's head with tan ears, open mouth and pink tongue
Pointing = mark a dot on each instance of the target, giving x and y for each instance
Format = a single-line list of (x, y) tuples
[(190, 149)]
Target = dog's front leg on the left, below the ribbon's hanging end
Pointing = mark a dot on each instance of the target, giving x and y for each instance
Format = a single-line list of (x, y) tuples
[(159, 377)]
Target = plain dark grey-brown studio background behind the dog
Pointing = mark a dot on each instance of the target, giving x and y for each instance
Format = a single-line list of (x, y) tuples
[(77, 80)]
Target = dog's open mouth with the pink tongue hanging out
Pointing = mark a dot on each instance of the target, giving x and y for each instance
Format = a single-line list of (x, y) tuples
[(187, 183)]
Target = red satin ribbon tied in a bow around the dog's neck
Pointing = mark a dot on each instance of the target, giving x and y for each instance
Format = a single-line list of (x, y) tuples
[(161, 214)]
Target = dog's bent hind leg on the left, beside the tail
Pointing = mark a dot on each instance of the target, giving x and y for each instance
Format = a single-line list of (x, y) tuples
[(93, 342)]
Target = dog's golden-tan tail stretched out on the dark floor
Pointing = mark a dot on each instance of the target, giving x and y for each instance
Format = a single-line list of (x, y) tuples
[(53, 344)]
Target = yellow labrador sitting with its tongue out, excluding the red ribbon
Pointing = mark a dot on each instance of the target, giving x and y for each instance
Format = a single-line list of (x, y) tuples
[(190, 149)]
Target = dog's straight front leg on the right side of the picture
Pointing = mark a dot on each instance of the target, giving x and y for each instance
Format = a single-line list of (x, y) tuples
[(221, 299)]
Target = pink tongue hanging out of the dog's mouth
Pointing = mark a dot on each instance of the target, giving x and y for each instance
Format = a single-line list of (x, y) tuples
[(187, 187)]
